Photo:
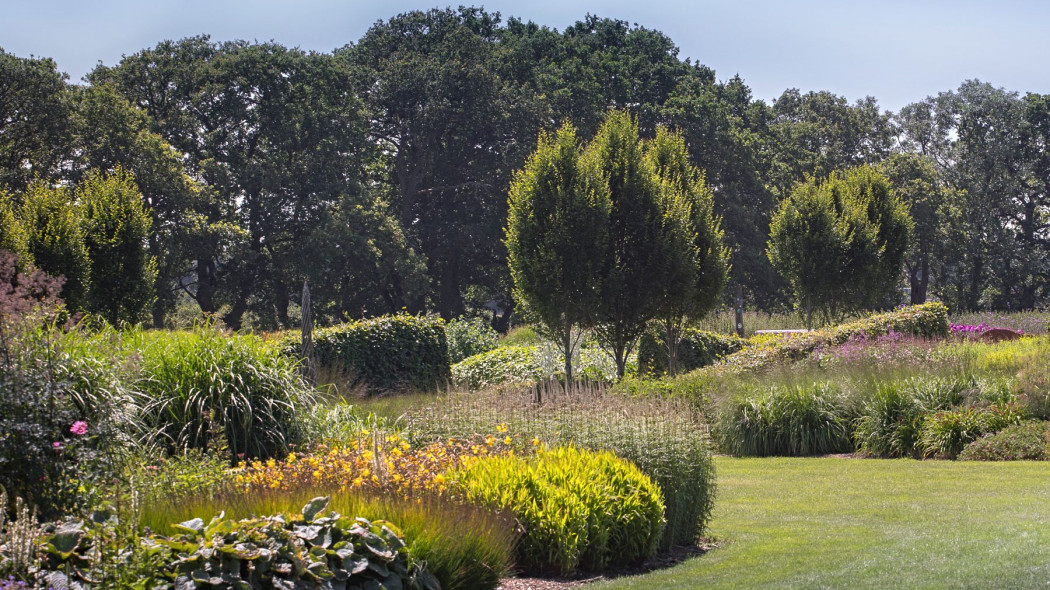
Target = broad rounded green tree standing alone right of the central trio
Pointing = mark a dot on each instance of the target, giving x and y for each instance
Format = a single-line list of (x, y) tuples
[(841, 243)]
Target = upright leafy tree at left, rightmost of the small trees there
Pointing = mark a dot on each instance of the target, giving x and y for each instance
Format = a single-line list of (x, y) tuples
[(117, 229)]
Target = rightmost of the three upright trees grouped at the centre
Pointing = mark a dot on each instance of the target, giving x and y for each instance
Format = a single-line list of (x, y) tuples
[(697, 262)]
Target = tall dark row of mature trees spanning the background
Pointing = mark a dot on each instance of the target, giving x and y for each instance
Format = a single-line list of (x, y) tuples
[(381, 172)]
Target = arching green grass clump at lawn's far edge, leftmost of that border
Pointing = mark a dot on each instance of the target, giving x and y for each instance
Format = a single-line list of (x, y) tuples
[(786, 422)]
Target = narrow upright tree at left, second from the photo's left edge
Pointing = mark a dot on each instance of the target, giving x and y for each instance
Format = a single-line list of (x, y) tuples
[(55, 240)]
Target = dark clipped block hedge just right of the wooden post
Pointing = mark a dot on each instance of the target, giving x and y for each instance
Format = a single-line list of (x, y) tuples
[(387, 354)]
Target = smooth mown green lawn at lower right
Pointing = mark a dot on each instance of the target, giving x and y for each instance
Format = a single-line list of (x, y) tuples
[(852, 523)]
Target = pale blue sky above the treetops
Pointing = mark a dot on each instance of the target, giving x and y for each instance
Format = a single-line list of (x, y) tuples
[(898, 52)]
